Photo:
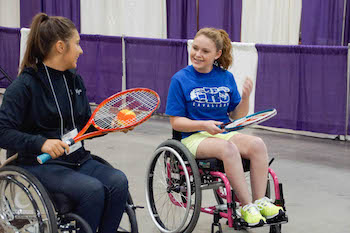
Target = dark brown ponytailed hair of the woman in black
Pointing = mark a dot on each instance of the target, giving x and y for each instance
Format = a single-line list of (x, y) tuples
[(45, 31)]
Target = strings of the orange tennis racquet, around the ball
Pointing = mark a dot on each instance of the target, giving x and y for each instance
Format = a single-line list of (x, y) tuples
[(141, 103)]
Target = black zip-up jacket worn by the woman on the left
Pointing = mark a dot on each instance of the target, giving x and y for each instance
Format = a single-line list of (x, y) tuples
[(29, 114)]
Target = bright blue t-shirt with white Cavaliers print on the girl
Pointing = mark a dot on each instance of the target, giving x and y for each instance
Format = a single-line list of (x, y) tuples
[(202, 96)]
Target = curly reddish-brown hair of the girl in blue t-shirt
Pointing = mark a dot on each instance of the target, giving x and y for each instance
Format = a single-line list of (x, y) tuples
[(222, 42)]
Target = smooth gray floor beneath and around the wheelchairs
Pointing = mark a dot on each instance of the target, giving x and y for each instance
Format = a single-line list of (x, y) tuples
[(315, 174)]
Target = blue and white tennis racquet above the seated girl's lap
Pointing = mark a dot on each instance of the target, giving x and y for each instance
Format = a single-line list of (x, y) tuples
[(252, 119)]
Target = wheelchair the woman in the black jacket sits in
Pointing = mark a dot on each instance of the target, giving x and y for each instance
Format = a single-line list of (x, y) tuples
[(25, 205)]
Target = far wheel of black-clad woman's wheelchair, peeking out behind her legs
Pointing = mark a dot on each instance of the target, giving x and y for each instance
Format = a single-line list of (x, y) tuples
[(129, 222)]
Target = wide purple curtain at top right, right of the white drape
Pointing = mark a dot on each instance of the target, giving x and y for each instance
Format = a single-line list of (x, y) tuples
[(321, 22)]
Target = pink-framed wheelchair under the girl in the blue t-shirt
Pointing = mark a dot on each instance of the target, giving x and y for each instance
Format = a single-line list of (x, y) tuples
[(174, 185)]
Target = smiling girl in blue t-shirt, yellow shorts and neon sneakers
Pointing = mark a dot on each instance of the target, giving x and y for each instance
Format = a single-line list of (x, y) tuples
[(203, 96)]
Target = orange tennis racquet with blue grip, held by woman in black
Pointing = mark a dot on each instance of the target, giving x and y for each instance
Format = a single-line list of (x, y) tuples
[(121, 111)]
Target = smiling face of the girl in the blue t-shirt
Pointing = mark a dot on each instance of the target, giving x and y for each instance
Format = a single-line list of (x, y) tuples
[(203, 54)]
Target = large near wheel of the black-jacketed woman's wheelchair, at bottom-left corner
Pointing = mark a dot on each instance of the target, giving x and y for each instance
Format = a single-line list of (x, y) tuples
[(24, 205)]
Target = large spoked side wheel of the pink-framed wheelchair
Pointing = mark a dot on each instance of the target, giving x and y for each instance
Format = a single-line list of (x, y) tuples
[(173, 192)]
